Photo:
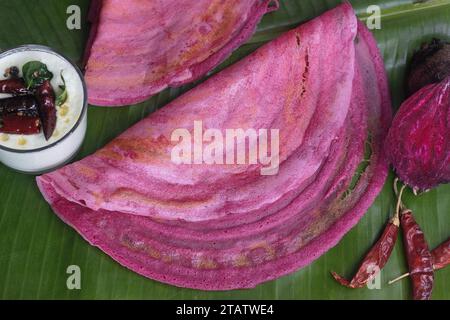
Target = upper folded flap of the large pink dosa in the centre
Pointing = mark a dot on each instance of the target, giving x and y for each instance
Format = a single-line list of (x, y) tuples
[(234, 98)]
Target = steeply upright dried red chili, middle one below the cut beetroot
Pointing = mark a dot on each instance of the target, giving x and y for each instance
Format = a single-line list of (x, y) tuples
[(419, 257)]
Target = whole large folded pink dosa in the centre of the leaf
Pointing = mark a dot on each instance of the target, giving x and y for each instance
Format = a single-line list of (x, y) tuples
[(218, 227)]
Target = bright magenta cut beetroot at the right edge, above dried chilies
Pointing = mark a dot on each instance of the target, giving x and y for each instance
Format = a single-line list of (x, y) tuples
[(418, 143)]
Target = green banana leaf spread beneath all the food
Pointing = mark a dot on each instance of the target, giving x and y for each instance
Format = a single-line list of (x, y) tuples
[(36, 247)]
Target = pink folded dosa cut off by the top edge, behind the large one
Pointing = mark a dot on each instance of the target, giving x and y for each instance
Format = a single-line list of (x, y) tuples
[(140, 47)]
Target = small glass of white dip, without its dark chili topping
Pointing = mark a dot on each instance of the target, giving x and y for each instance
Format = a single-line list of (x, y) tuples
[(33, 153)]
